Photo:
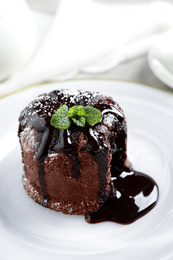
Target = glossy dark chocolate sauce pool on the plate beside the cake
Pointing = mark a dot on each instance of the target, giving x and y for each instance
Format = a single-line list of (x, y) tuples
[(133, 195)]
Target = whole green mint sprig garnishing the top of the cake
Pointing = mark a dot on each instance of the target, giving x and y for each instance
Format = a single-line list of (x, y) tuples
[(79, 115)]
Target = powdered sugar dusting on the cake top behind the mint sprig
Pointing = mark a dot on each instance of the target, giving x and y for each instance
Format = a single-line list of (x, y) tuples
[(45, 105)]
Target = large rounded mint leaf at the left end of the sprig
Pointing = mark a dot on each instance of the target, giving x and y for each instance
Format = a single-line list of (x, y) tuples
[(60, 119)]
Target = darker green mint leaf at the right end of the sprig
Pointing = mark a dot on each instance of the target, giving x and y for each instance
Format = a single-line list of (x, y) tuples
[(92, 115)]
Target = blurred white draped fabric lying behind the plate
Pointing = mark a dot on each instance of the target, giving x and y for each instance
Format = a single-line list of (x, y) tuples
[(93, 36)]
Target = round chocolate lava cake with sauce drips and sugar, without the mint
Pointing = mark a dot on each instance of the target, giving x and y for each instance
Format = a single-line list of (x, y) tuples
[(69, 170)]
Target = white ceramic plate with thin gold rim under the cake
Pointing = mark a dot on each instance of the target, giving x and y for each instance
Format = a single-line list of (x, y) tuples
[(29, 231)]
